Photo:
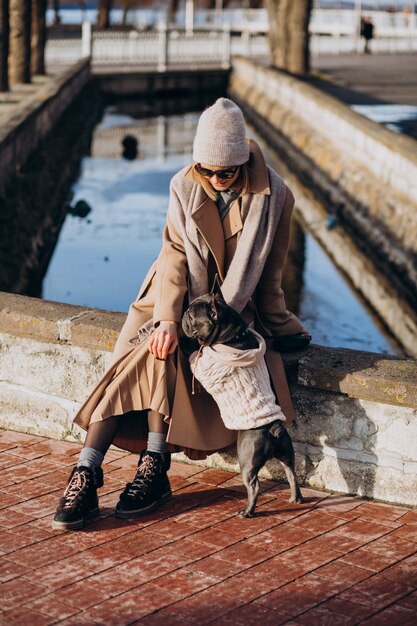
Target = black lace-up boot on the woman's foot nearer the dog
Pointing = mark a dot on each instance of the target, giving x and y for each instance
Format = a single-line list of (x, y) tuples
[(149, 489)]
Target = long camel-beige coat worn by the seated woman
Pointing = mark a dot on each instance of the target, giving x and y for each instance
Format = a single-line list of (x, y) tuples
[(136, 382)]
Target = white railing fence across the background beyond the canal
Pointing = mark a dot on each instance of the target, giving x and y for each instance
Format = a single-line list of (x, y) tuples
[(332, 32)]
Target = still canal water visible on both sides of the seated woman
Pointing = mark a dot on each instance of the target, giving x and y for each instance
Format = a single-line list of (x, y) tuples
[(114, 226)]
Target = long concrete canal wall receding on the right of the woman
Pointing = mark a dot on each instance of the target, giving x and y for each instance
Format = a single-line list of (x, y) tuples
[(361, 173)]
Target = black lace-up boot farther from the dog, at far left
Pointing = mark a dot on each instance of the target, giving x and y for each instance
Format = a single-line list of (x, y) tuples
[(79, 502)]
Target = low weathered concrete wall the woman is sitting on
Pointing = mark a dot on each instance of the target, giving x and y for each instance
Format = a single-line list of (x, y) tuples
[(357, 425)]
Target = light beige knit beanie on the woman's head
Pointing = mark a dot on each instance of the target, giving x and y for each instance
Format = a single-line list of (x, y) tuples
[(220, 137)]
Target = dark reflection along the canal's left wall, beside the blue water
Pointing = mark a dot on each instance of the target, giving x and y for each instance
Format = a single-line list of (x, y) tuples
[(36, 200)]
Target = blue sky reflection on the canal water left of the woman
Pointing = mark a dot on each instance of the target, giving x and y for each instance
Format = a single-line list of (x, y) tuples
[(101, 262)]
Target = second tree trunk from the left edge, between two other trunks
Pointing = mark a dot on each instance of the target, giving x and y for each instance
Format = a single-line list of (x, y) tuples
[(19, 51)]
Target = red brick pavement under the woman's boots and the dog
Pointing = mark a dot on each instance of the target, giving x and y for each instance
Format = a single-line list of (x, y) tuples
[(333, 560)]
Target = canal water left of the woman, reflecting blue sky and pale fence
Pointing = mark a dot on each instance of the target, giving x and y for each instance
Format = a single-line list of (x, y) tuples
[(101, 262)]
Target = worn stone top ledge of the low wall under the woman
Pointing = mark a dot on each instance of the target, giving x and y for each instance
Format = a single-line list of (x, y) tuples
[(360, 375)]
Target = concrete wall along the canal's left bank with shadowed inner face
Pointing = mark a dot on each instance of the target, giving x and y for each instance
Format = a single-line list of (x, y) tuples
[(33, 118)]
